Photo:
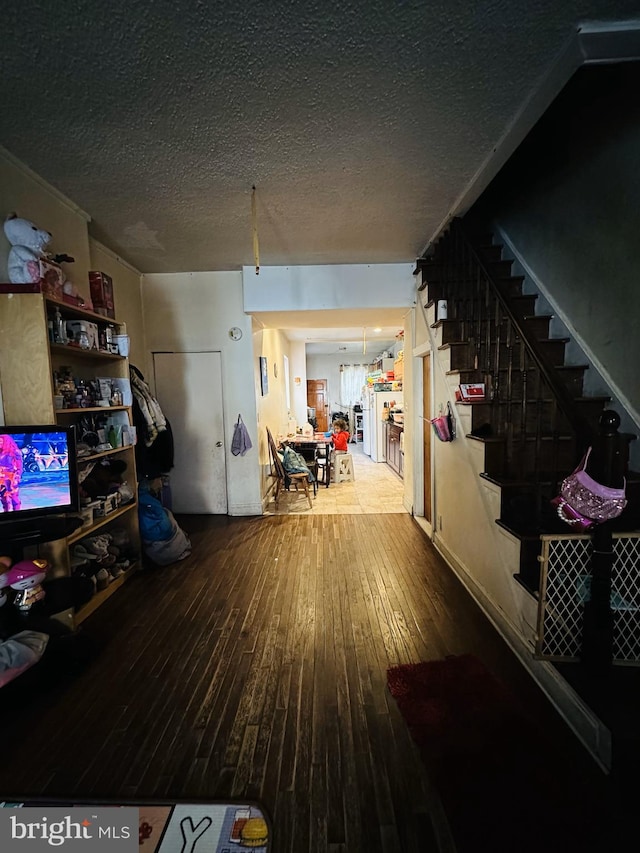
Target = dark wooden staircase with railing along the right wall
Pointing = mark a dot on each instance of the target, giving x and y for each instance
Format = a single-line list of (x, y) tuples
[(536, 420)]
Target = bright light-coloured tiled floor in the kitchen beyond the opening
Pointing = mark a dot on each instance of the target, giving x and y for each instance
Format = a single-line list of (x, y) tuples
[(376, 489)]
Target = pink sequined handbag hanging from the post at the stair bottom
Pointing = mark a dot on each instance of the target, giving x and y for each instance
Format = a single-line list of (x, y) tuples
[(583, 502)]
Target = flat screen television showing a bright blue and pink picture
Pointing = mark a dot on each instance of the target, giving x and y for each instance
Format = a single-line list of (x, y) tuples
[(38, 480)]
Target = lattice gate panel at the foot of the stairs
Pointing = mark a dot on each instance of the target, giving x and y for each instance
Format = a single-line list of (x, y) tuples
[(566, 586)]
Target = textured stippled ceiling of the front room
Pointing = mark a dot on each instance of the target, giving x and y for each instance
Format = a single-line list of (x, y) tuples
[(362, 122)]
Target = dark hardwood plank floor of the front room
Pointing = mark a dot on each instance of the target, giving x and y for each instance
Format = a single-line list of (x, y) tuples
[(256, 669)]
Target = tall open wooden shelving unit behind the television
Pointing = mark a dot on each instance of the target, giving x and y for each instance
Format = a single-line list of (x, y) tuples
[(29, 360)]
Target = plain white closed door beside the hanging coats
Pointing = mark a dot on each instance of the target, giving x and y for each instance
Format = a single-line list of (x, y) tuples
[(189, 390)]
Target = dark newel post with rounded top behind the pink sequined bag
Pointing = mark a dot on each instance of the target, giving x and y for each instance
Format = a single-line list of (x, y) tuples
[(607, 465)]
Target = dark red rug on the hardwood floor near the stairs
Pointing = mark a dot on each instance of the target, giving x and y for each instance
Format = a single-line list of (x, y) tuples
[(502, 782)]
